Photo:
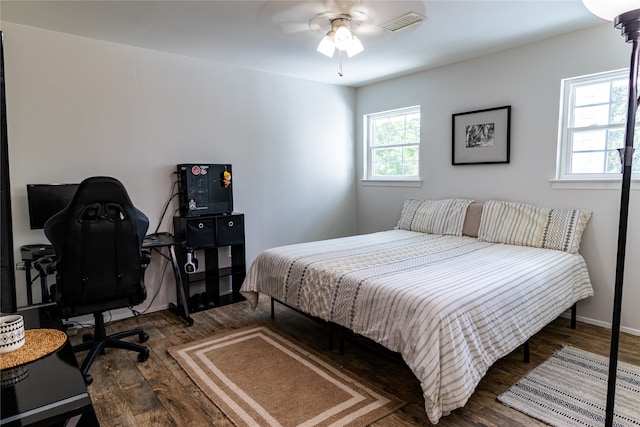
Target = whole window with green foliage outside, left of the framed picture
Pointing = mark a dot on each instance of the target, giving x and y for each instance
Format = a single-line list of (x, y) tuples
[(392, 145)]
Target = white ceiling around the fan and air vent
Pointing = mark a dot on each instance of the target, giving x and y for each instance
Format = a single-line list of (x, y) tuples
[(275, 36)]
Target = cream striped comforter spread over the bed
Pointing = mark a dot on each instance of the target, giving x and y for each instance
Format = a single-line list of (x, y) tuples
[(451, 306)]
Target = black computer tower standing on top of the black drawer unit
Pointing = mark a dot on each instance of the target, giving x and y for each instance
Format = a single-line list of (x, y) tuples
[(205, 189)]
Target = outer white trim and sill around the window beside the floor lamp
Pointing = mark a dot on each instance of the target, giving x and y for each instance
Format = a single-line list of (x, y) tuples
[(564, 180)]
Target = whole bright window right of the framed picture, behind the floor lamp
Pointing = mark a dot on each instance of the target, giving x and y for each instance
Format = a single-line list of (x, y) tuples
[(594, 113)]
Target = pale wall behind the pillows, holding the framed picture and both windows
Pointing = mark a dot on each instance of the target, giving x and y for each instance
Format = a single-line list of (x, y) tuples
[(528, 79)]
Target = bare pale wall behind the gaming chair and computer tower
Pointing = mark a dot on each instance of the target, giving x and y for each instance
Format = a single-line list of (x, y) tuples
[(79, 107)]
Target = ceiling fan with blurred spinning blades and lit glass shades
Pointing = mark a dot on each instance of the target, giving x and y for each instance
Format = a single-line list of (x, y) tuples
[(342, 25)]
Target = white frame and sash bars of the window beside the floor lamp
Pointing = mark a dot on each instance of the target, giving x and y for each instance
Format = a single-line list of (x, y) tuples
[(566, 129)]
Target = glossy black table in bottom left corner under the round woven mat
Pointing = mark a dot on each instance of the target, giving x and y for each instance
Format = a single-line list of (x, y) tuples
[(53, 390)]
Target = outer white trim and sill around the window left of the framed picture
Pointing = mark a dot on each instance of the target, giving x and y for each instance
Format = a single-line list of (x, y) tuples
[(390, 181)]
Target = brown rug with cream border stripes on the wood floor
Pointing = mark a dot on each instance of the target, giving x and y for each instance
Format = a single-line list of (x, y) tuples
[(259, 377)]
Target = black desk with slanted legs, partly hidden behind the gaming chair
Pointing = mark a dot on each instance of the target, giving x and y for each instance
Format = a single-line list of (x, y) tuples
[(154, 241)]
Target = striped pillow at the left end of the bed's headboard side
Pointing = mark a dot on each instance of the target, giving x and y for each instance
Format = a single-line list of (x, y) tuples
[(434, 216)]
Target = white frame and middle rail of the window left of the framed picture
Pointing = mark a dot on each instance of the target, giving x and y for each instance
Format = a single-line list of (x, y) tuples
[(368, 120)]
